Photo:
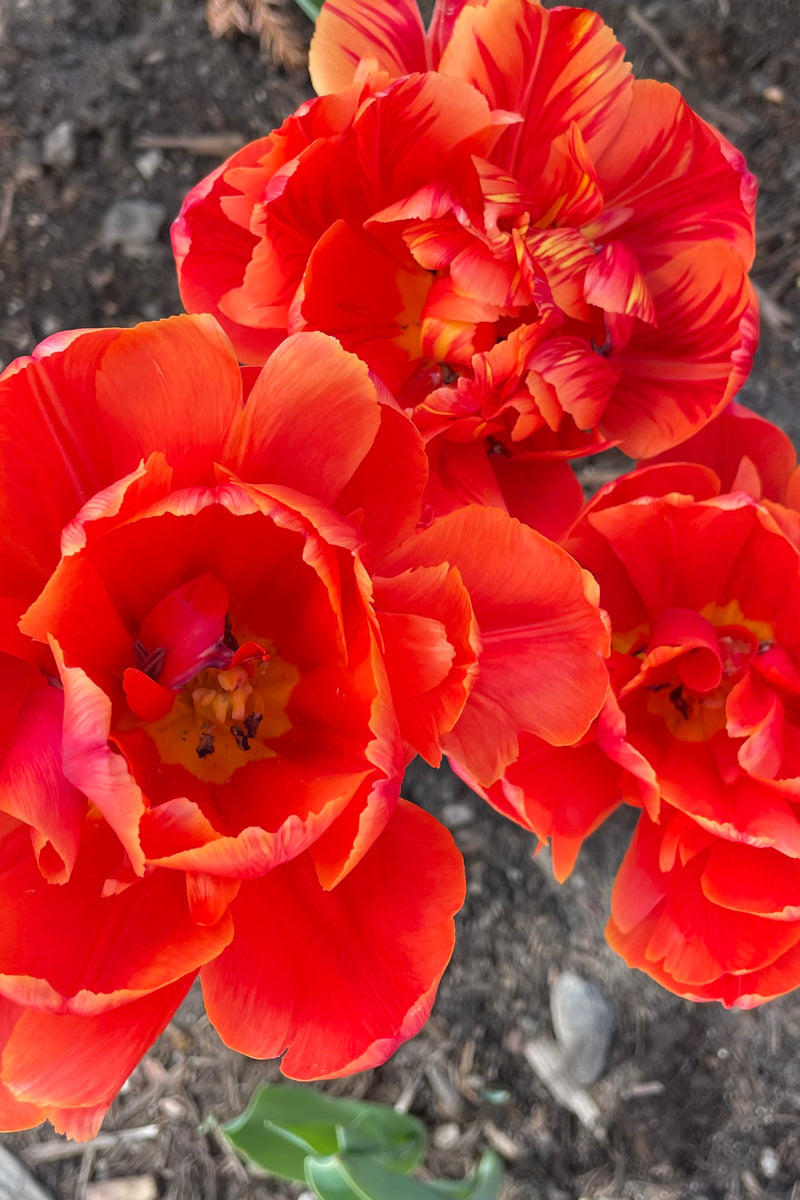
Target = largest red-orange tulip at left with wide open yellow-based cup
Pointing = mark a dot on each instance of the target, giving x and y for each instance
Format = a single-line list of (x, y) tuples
[(222, 640)]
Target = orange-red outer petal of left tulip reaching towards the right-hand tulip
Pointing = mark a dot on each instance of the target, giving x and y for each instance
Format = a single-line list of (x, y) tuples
[(542, 633)]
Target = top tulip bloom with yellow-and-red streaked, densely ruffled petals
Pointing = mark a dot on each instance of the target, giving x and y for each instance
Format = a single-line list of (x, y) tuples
[(538, 254)]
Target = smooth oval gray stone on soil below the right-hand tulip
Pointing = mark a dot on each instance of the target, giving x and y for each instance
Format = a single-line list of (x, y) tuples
[(584, 1022)]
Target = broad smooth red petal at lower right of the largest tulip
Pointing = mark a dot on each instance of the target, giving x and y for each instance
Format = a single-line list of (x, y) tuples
[(340, 977)]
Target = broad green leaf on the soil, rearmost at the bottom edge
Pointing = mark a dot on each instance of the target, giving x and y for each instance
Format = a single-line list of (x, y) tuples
[(284, 1126)]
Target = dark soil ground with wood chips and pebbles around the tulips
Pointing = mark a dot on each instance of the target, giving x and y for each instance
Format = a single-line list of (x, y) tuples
[(695, 1102)]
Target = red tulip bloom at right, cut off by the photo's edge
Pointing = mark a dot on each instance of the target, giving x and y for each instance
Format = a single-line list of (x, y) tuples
[(702, 731)]
